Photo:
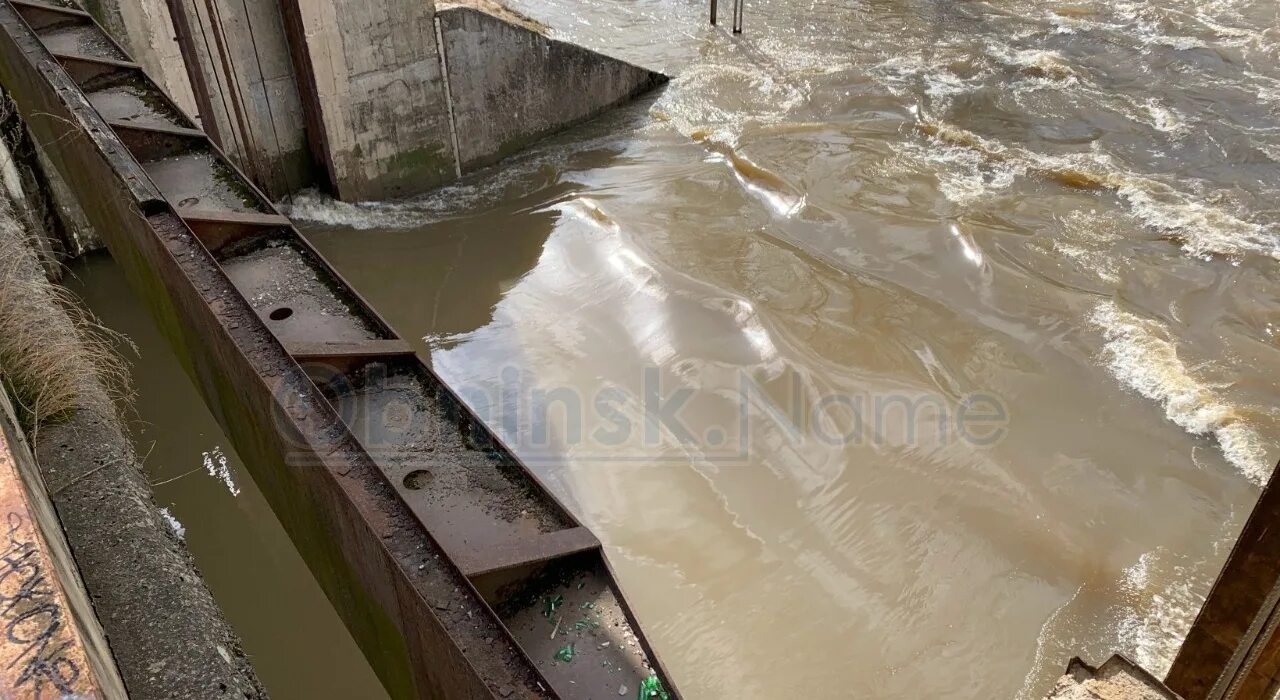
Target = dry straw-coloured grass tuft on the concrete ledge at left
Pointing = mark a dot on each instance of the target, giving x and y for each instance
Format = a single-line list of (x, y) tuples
[(54, 355)]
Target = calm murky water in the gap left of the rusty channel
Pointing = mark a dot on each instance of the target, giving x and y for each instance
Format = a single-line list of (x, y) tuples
[(292, 635)]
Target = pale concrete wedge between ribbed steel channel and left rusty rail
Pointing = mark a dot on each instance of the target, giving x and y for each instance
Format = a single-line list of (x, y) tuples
[(145, 29)]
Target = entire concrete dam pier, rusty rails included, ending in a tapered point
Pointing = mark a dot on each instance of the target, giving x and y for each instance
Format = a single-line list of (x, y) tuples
[(369, 102)]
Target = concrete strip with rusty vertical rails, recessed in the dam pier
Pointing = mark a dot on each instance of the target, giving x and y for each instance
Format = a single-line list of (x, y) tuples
[(243, 75)]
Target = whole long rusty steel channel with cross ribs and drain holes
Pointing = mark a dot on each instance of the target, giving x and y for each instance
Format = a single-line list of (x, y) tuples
[(458, 571)]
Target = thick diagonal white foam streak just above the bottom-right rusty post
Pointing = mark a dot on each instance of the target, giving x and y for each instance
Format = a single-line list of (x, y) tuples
[(1140, 355)]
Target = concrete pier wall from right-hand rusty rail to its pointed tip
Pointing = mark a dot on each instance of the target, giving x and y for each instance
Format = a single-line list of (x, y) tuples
[(388, 125)]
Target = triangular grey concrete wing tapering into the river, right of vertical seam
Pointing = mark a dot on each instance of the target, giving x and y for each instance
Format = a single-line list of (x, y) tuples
[(510, 85)]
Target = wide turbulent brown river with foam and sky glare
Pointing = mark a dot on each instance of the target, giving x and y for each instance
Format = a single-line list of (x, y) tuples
[(897, 349)]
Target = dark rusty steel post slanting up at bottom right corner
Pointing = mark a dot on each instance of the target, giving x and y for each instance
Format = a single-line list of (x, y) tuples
[(1233, 651)]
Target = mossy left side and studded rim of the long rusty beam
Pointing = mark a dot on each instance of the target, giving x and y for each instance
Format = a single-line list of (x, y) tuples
[(385, 574)]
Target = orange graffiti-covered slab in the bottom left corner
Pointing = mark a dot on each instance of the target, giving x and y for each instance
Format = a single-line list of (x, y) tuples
[(68, 655)]
